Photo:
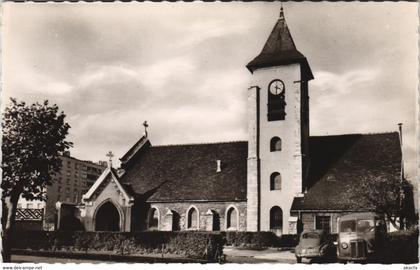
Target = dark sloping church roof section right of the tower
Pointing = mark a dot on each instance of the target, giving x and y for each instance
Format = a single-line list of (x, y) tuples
[(340, 162)]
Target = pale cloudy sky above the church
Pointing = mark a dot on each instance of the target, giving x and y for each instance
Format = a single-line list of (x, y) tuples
[(181, 67)]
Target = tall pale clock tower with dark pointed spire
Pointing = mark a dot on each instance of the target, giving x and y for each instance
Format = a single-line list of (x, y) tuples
[(278, 126)]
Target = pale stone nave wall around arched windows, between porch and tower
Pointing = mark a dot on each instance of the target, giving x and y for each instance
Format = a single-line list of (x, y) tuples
[(208, 211)]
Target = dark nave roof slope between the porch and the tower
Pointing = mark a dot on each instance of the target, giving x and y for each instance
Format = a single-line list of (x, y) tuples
[(188, 172)]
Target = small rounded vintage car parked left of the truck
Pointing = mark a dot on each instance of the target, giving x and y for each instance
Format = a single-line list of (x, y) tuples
[(314, 244)]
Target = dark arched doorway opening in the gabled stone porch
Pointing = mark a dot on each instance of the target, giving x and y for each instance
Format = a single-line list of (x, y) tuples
[(107, 218)]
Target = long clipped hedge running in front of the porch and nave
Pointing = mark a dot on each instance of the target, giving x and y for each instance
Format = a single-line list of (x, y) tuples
[(199, 245)]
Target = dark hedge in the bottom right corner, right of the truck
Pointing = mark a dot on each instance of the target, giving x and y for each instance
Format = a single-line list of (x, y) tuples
[(402, 246)]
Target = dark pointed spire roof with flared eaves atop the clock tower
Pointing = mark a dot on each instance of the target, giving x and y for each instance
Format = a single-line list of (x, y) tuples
[(280, 49)]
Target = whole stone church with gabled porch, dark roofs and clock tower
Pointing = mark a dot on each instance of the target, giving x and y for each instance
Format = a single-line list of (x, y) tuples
[(281, 179)]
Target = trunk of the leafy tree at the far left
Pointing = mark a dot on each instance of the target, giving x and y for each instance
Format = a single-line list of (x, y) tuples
[(11, 205)]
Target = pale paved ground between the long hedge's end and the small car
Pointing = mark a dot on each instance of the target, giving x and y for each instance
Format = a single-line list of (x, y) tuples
[(268, 255)]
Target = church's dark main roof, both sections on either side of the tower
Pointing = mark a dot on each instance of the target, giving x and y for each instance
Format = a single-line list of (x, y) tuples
[(188, 172)]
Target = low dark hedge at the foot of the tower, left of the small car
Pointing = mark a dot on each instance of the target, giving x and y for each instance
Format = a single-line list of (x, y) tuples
[(259, 240)]
